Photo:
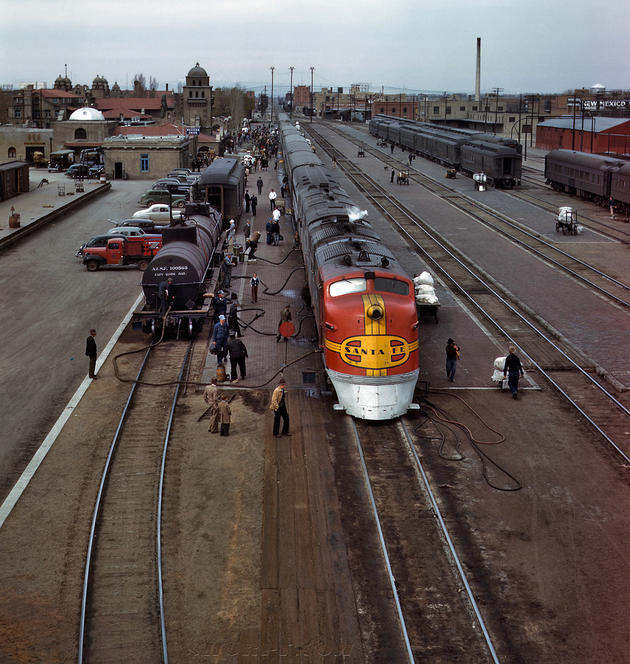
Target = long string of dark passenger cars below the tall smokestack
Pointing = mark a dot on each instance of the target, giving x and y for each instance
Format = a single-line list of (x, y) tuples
[(499, 158)]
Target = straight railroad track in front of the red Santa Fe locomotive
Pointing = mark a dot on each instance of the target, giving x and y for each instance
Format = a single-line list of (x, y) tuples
[(438, 613)]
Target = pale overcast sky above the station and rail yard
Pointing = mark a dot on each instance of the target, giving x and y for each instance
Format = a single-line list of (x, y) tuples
[(400, 45)]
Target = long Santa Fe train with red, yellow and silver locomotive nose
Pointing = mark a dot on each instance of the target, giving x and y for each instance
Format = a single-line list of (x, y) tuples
[(363, 302)]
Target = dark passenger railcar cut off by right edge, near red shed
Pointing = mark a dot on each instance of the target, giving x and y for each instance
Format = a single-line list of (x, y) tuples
[(591, 176)]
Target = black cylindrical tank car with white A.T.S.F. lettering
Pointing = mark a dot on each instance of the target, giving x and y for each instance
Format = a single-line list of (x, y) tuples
[(188, 248)]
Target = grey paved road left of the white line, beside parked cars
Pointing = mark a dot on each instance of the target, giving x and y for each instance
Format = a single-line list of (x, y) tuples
[(50, 302)]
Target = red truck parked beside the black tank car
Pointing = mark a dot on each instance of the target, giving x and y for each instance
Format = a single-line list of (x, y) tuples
[(114, 250)]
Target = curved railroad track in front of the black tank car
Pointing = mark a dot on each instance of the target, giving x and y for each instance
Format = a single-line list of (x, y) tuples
[(122, 610)]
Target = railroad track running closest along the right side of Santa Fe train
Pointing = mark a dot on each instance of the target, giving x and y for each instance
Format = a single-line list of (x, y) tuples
[(558, 362)]
